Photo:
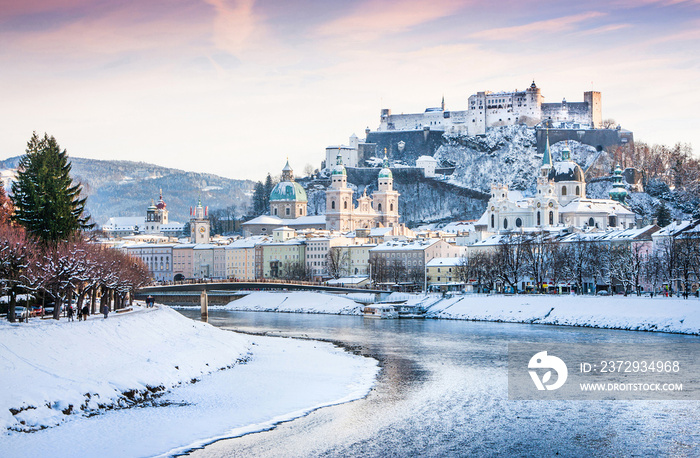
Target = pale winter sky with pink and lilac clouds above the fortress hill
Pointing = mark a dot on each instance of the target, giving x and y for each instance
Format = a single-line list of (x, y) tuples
[(235, 87)]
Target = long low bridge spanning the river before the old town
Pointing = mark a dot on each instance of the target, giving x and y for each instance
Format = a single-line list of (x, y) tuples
[(224, 292)]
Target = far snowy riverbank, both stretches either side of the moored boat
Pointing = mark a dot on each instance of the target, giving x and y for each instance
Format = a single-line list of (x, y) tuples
[(614, 312)]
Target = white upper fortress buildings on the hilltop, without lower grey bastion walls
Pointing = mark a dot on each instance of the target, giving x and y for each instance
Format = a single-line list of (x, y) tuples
[(494, 109)]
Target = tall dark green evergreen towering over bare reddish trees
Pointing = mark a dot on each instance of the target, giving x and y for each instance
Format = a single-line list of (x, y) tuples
[(47, 202)]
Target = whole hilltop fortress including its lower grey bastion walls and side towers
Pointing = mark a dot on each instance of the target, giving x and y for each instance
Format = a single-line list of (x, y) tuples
[(407, 137)]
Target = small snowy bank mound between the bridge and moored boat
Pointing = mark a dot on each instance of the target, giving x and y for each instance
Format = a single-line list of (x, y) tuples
[(294, 302)]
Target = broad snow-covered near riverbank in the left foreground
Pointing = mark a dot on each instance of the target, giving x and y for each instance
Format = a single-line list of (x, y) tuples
[(98, 365)]
